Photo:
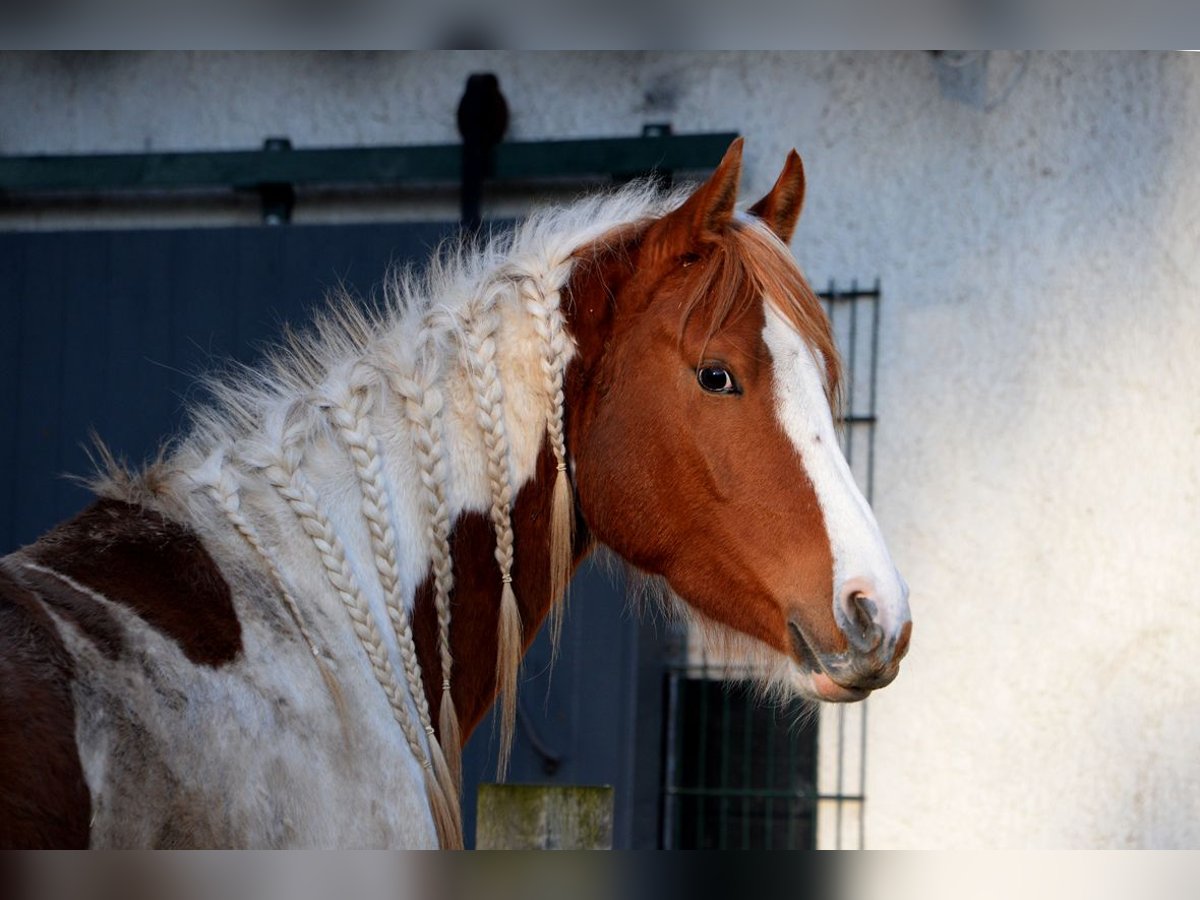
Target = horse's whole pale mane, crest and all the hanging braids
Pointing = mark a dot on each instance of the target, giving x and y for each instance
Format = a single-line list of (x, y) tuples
[(317, 391)]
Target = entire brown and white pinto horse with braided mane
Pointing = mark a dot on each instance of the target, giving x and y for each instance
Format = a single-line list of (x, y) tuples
[(281, 632)]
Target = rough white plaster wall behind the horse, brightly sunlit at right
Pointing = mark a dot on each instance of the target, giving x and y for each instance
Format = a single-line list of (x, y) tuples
[(1037, 471)]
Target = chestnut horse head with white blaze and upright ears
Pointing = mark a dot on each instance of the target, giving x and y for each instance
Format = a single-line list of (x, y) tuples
[(701, 425)]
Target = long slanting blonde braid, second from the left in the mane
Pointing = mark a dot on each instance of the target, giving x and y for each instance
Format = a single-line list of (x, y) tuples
[(285, 476)]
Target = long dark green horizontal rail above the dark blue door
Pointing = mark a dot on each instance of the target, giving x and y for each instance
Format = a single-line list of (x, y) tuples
[(517, 161)]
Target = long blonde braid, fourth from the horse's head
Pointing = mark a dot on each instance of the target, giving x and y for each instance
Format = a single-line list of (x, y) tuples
[(353, 424)]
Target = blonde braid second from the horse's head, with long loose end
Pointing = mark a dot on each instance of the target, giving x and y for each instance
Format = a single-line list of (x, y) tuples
[(481, 345)]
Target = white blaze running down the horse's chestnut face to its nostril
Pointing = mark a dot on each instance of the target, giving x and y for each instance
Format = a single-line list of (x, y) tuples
[(860, 555)]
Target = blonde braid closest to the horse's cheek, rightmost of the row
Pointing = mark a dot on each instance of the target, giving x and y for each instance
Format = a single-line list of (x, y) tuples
[(543, 302)]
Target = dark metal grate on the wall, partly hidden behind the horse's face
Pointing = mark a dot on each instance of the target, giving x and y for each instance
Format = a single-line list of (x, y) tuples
[(743, 775)]
